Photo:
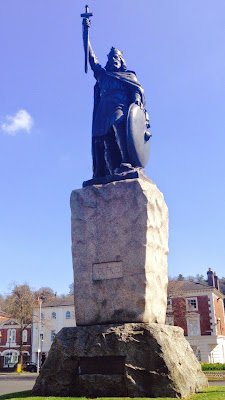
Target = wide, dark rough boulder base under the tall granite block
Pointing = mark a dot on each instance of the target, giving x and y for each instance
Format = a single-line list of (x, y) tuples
[(126, 360)]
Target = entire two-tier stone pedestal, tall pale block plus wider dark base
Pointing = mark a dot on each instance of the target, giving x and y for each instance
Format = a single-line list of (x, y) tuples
[(121, 346)]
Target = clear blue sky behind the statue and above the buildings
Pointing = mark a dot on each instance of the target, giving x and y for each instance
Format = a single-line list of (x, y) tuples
[(177, 50)]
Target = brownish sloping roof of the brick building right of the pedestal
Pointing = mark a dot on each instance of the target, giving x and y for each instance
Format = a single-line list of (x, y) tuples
[(177, 287)]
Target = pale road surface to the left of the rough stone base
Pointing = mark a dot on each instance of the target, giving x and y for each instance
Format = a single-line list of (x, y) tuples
[(11, 383)]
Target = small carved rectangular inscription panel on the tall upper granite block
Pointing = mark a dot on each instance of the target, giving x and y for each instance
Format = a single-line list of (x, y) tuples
[(109, 270)]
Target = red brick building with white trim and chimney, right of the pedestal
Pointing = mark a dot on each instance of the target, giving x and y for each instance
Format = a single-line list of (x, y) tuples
[(199, 310)]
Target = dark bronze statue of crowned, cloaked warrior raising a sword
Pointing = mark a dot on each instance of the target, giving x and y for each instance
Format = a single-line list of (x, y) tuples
[(120, 121)]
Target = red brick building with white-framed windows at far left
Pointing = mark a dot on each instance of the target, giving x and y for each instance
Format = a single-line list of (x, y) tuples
[(10, 342)]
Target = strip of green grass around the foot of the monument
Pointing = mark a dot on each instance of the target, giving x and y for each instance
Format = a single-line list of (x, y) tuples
[(213, 393)]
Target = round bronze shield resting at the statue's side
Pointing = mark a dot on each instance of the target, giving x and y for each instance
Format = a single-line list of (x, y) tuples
[(138, 136)]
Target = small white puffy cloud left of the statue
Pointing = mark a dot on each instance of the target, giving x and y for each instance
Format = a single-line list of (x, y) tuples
[(22, 120)]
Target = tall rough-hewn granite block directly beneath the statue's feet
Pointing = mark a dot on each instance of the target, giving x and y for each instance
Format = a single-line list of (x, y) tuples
[(120, 248)]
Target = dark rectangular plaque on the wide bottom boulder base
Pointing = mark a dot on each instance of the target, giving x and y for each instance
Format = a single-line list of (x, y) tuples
[(105, 365)]
